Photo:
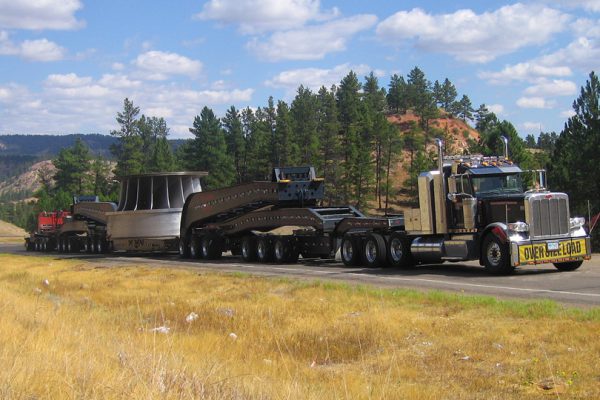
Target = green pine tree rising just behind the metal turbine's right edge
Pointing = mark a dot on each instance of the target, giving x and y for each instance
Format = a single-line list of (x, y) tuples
[(210, 151)]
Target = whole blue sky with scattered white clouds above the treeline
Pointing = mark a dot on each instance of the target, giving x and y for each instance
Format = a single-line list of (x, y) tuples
[(67, 65)]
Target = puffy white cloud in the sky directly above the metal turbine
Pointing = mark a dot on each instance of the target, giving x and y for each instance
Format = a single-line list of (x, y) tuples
[(158, 65)]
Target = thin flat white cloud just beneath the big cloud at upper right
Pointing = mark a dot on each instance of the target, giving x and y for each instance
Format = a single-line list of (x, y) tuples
[(525, 71)]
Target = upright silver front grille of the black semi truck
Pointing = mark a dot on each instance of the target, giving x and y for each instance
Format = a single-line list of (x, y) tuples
[(547, 214)]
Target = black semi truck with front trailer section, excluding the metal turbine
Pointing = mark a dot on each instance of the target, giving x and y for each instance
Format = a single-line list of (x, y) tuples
[(470, 208)]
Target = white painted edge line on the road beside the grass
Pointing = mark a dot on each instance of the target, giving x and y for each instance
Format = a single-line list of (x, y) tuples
[(398, 278)]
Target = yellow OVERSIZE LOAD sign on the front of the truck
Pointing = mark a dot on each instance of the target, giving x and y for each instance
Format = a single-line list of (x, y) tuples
[(542, 252)]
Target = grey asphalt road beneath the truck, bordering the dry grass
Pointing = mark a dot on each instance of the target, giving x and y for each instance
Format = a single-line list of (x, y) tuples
[(581, 287)]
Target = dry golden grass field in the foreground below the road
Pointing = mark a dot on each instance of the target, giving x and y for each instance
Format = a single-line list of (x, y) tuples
[(71, 329)]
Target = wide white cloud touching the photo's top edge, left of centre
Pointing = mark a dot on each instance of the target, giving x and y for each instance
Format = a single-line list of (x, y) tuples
[(255, 16)]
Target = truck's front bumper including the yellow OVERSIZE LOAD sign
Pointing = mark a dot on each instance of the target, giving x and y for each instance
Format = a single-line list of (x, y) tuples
[(531, 252)]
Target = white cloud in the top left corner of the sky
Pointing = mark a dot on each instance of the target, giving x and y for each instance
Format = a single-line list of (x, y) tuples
[(39, 14)]
